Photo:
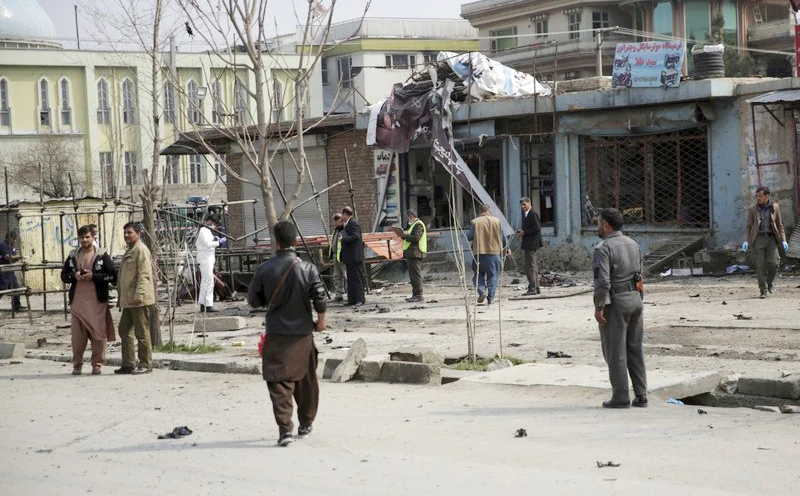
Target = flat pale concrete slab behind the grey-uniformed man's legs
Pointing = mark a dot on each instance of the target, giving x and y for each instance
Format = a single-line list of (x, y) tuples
[(661, 383)]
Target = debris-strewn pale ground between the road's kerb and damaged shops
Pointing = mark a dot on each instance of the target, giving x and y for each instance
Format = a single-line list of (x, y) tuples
[(702, 323)]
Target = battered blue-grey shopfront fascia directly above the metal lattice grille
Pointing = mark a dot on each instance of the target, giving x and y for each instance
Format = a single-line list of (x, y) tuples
[(636, 121)]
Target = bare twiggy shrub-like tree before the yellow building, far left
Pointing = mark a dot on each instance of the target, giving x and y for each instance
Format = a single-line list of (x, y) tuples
[(46, 167)]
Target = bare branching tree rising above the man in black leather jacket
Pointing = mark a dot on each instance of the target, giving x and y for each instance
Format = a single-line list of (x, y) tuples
[(245, 41)]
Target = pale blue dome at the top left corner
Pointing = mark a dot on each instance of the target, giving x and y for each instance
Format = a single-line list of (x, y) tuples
[(24, 24)]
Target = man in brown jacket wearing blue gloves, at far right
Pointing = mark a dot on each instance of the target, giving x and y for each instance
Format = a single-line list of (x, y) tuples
[(765, 234)]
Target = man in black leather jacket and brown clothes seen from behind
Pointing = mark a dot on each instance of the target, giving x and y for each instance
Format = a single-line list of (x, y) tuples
[(288, 287)]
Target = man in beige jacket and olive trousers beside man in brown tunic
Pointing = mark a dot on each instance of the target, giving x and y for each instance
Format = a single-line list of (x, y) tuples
[(136, 295)]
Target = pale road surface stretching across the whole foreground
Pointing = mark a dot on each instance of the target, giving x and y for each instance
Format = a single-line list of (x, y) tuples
[(65, 435)]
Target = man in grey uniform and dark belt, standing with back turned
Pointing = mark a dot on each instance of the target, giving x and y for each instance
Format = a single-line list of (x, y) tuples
[(618, 309)]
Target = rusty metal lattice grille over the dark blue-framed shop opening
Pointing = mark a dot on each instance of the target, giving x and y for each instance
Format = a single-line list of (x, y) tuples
[(659, 179)]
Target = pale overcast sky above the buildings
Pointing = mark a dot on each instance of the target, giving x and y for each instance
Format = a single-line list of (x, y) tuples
[(63, 14)]
